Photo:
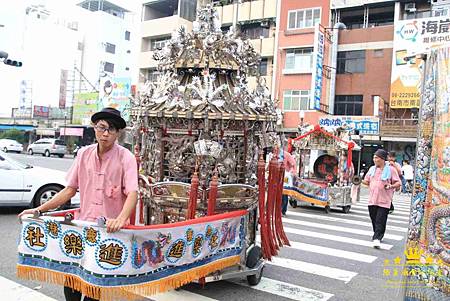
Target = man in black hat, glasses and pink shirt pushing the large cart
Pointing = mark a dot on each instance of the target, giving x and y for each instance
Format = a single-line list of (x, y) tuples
[(106, 176)]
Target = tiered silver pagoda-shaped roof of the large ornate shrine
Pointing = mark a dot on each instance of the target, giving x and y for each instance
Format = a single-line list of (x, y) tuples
[(204, 75)]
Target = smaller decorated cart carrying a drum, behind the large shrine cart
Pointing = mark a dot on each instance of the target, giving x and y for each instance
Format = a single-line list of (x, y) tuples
[(329, 183)]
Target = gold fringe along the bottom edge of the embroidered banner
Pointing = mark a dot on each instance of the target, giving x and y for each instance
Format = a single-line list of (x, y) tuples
[(125, 292)]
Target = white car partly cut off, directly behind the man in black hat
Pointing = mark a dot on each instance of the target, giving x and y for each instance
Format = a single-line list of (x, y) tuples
[(25, 185)]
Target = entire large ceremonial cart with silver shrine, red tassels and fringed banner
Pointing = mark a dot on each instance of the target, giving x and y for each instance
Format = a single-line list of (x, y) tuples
[(199, 137)]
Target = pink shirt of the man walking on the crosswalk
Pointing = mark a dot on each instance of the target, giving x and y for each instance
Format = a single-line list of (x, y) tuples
[(378, 195)]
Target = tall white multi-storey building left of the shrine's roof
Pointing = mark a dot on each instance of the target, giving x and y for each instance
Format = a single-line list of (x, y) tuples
[(109, 44)]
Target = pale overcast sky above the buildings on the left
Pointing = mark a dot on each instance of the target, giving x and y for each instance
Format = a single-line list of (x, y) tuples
[(43, 56)]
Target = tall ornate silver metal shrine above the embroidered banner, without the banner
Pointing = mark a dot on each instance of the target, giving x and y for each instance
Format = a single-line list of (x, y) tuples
[(199, 130)]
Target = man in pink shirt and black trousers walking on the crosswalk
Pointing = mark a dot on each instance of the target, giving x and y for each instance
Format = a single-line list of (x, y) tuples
[(382, 179)]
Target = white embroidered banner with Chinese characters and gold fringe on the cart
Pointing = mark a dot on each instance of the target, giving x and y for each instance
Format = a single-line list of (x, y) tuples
[(134, 261)]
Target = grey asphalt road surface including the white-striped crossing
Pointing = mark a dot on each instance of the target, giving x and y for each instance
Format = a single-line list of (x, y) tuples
[(331, 257)]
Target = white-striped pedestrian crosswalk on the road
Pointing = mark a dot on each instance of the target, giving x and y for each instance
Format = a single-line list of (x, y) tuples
[(332, 248)]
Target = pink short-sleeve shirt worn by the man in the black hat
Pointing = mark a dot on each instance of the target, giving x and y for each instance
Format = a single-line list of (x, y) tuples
[(104, 185)]
